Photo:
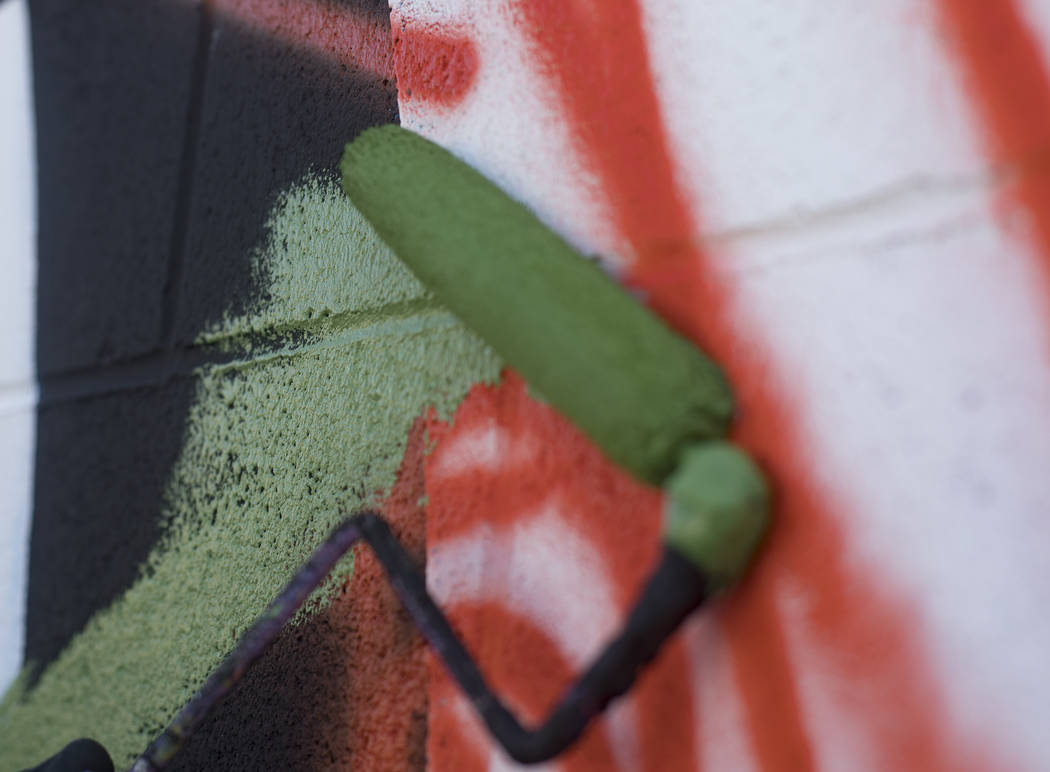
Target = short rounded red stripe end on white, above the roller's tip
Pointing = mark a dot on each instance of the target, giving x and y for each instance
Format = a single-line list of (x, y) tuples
[(433, 65)]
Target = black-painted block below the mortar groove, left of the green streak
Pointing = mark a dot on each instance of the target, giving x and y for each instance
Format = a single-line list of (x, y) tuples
[(102, 467)]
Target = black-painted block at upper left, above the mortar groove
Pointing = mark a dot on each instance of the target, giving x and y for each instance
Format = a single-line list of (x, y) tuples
[(112, 87)]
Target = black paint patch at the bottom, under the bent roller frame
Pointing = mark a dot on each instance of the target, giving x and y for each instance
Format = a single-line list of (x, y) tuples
[(290, 712)]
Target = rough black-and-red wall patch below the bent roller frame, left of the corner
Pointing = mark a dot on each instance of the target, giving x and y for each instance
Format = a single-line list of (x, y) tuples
[(308, 704)]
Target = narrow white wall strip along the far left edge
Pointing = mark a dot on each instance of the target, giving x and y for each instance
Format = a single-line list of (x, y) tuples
[(18, 280)]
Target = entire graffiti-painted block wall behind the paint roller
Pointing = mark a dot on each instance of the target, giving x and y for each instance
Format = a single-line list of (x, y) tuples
[(849, 207)]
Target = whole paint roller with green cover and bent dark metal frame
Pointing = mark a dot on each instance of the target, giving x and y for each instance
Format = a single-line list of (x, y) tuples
[(647, 398)]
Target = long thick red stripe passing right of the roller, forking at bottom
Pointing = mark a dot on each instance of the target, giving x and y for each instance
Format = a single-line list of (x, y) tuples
[(601, 68)]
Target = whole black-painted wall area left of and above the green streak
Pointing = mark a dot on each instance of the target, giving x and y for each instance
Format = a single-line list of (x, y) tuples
[(159, 165)]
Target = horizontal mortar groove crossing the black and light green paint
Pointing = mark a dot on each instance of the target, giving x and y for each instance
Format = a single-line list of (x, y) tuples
[(158, 368)]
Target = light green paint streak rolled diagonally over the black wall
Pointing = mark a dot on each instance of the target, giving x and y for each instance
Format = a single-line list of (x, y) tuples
[(338, 363)]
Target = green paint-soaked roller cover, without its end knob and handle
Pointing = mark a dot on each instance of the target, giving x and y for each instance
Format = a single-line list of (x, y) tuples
[(636, 388)]
